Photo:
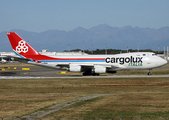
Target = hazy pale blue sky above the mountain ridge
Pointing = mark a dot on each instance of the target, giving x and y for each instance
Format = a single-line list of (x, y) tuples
[(42, 15)]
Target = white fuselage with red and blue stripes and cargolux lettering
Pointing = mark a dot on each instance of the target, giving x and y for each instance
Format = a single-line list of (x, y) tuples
[(125, 61)]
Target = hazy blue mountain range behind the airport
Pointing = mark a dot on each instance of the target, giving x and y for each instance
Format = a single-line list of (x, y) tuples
[(98, 36)]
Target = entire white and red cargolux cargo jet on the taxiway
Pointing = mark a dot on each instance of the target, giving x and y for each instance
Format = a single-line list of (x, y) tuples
[(88, 64)]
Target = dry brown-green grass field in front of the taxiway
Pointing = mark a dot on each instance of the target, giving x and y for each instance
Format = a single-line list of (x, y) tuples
[(125, 97)]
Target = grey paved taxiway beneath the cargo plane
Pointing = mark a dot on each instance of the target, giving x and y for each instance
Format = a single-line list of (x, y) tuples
[(43, 73)]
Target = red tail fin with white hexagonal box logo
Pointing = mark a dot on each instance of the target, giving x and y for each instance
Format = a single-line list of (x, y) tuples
[(20, 46)]
